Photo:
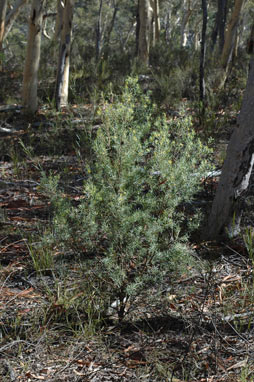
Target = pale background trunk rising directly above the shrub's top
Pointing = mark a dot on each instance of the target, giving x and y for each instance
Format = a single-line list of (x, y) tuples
[(144, 35)]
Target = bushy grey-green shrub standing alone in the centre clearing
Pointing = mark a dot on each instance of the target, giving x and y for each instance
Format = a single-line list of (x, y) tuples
[(131, 220)]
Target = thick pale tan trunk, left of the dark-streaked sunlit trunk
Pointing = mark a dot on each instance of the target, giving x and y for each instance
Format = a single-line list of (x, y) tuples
[(30, 78)]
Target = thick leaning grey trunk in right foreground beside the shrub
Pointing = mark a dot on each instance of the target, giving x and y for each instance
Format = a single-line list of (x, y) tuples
[(226, 211)]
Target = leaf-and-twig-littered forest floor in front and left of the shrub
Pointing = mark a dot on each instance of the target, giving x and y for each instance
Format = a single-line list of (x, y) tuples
[(201, 330)]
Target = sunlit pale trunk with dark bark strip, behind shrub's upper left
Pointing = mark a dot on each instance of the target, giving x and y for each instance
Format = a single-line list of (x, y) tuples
[(62, 81)]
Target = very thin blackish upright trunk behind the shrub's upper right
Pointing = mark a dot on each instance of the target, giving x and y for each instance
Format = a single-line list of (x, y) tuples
[(202, 59)]
